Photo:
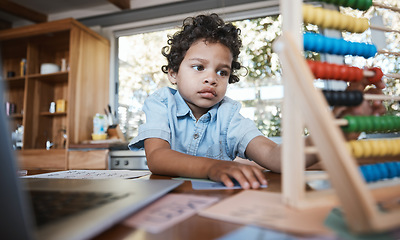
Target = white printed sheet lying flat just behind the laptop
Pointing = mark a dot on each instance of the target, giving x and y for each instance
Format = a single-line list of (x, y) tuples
[(92, 174)]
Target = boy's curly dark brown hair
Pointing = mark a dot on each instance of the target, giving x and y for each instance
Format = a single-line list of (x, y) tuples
[(209, 27)]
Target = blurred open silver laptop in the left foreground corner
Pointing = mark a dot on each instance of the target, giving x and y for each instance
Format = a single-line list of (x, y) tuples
[(19, 217)]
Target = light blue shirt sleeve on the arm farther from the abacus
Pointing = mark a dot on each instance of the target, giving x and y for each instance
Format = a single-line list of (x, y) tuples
[(156, 110)]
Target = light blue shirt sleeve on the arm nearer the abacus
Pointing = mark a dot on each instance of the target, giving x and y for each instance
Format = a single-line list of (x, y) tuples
[(240, 132)]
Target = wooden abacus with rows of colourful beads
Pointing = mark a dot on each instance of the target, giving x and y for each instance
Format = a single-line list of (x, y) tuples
[(306, 106)]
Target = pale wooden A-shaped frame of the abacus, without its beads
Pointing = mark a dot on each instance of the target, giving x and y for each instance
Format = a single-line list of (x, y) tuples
[(304, 105)]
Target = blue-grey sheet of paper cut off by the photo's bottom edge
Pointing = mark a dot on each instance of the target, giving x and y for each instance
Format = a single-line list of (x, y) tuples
[(258, 233)]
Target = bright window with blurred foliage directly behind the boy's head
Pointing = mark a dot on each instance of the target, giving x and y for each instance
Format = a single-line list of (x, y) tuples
[(259, 90)]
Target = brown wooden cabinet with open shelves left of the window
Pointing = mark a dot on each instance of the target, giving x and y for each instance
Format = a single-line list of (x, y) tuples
[(83, 84)]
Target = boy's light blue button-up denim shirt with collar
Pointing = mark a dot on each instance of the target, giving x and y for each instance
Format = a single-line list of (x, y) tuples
[(222, 133)]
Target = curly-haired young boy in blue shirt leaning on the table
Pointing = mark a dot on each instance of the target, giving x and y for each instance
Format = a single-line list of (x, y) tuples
[(196, 131)]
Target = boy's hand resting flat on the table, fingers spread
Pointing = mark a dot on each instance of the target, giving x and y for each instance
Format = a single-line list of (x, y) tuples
[(246, 175)]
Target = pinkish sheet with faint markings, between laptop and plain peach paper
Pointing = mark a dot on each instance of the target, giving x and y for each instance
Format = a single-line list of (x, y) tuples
[(168, 211)]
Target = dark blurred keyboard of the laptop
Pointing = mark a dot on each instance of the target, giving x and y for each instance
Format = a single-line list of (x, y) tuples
[(50, 206)]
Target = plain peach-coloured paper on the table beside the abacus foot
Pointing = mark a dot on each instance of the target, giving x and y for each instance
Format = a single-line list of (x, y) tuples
[(266, 209)]
